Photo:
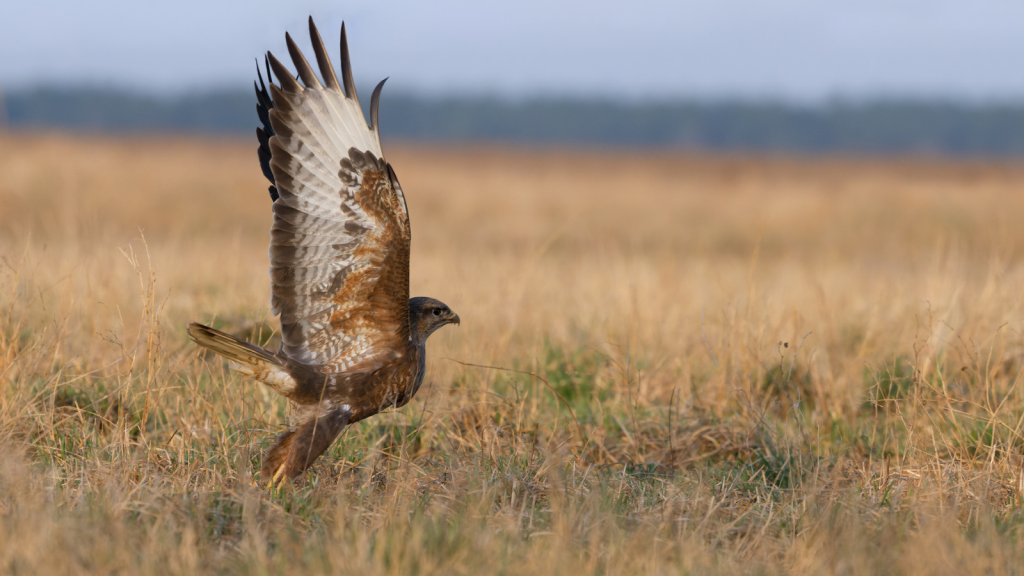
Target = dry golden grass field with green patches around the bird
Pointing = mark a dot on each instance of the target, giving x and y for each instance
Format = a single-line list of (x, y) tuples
[(718, 365)]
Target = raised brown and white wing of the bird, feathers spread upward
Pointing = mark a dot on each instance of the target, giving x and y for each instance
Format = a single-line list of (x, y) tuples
[(340, 241)]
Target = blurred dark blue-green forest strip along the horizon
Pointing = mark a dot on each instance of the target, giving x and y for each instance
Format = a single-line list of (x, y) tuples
[(869, 127)]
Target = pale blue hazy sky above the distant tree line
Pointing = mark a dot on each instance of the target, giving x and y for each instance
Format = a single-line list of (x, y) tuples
[(792, 50)]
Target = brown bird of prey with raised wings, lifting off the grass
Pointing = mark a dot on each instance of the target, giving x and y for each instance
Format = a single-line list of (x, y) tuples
[(353, 341)]
